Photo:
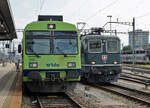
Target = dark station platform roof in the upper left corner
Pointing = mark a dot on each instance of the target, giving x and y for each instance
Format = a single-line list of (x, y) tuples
[(7, 27)]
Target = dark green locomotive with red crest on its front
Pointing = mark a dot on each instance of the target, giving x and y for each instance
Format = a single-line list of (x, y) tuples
[(101, 58)]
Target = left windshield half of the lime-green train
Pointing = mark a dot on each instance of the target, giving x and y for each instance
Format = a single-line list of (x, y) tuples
[(37, 43)]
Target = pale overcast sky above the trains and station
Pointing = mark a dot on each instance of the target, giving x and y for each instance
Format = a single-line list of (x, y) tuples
[(93, 12)]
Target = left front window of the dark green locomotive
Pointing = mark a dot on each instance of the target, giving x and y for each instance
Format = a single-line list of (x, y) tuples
[(95, 46)]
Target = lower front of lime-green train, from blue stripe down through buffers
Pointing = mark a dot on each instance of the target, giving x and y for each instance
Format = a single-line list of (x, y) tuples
[(54, 80)]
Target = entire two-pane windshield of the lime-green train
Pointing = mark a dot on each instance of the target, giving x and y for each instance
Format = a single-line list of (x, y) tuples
[(55, 42)]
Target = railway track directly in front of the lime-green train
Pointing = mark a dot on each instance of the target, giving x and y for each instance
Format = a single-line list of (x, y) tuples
[(55, 101)]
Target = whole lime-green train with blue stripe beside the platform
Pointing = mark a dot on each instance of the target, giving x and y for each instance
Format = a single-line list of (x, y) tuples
[(51, 55)]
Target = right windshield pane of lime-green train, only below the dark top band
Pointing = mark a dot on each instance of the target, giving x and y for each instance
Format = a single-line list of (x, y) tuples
[(65, 46)]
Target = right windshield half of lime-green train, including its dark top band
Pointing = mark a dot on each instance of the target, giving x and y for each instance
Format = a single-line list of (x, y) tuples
[(65, 42)]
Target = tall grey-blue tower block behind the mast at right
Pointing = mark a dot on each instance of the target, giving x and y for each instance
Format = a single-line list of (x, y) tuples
[(141, 39)]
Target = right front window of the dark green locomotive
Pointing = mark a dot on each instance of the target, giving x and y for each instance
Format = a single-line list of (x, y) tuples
[(112, 46)]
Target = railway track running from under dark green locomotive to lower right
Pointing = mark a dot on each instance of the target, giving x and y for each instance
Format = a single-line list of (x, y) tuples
[(132, 94)]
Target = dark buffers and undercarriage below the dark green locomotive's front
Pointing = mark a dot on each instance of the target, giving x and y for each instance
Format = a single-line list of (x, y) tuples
[(101, 74)]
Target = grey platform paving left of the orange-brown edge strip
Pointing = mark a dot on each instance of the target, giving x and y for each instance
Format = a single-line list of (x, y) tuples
[(7, 77)]
